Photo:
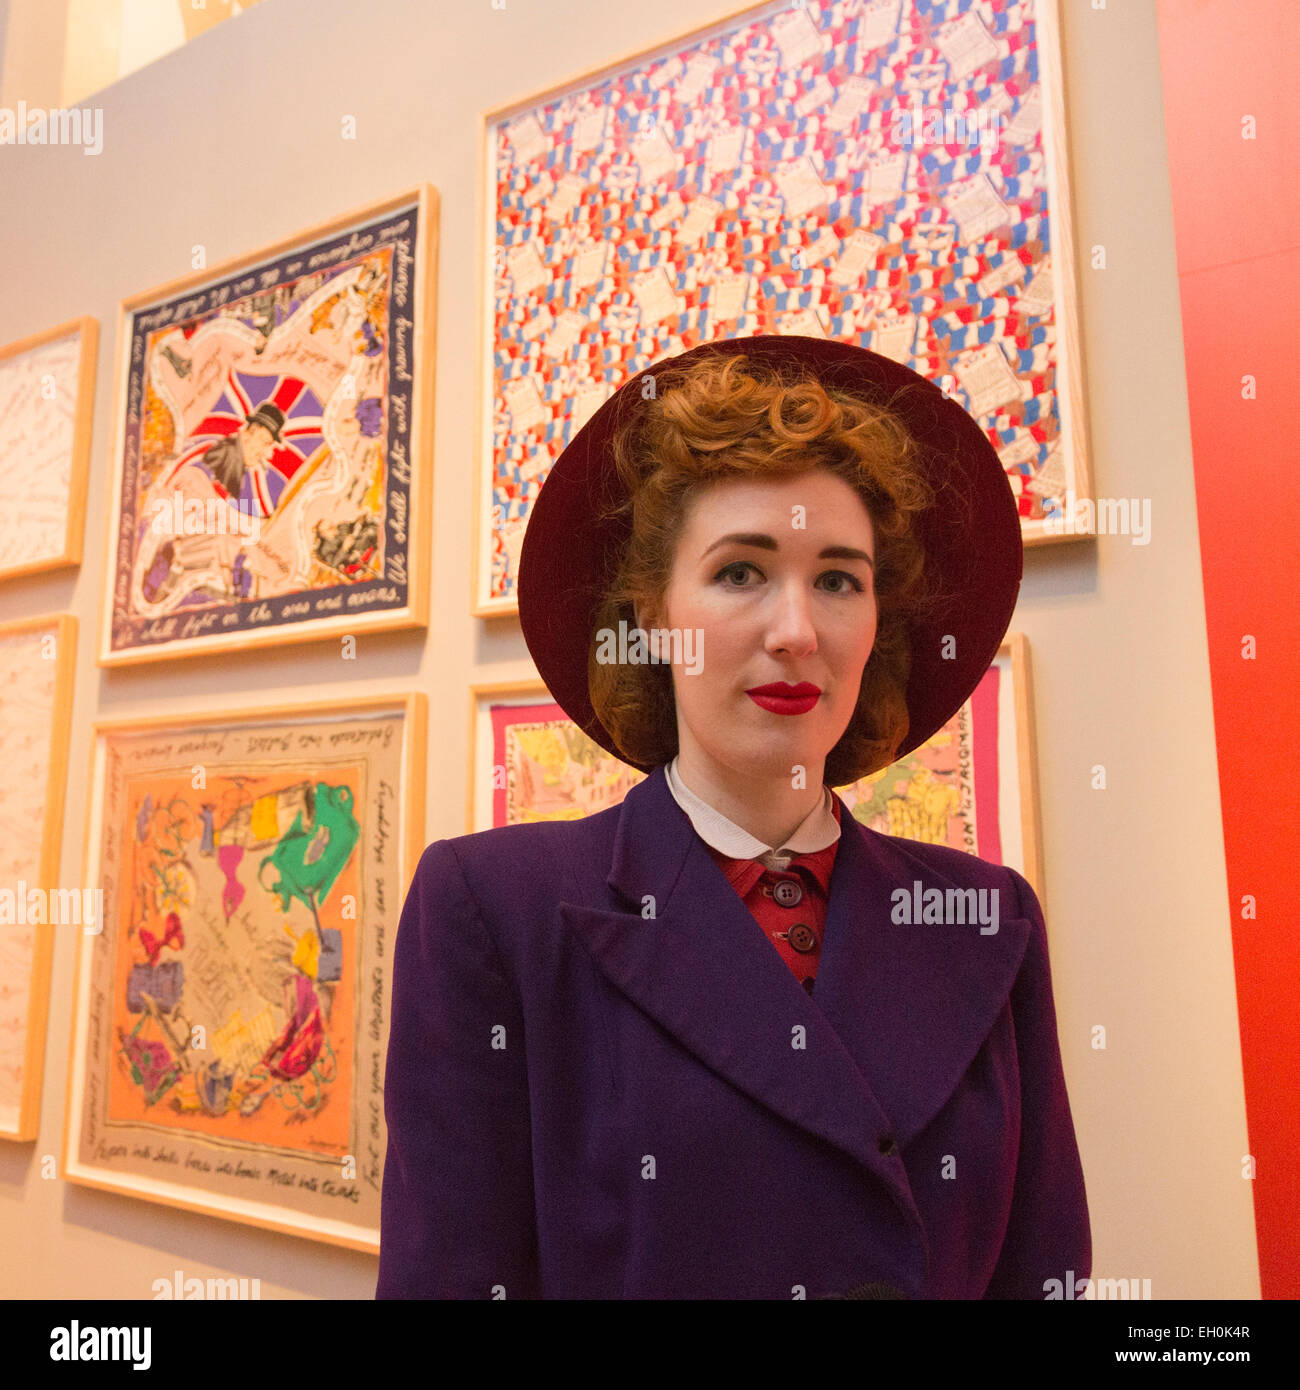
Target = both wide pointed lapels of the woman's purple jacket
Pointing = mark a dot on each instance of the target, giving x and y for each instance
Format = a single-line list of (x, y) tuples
[(899, 1011)]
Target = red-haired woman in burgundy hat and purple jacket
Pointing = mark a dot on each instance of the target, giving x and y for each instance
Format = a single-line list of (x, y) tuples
[(697, 1046)]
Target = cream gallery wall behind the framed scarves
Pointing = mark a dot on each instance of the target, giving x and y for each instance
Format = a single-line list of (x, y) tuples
[(233, 141)]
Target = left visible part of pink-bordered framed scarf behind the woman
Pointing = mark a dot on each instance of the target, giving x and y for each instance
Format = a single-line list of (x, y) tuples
[(532, 762)]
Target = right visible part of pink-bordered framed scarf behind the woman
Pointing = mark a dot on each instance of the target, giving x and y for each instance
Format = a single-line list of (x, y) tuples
[(974, 785)]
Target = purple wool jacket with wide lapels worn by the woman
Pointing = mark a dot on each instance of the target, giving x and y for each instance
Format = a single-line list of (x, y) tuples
[(604, 1082)]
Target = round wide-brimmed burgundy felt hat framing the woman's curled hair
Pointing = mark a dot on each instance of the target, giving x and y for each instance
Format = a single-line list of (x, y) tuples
[(971, 534)]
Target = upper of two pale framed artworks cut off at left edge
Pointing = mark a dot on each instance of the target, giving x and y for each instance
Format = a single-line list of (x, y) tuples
[(47, 415)]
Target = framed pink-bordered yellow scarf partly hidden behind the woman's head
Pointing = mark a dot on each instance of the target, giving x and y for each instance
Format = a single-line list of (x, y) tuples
[(980, 771)]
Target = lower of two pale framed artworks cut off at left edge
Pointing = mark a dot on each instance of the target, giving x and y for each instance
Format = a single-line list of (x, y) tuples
[(37, 660)]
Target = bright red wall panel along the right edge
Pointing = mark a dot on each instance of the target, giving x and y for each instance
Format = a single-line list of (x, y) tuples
[(1237, 205)]
